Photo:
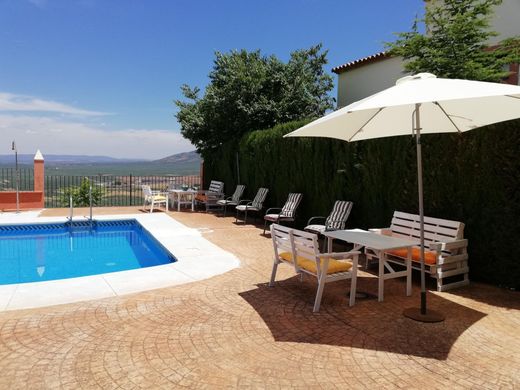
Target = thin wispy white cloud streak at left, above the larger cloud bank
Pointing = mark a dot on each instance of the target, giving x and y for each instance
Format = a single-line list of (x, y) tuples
[(13, 102)]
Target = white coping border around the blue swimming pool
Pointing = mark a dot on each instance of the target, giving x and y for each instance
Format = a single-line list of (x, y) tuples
[(197, 259)]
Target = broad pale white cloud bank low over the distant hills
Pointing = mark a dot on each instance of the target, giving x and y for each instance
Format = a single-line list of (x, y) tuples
[(62, 136)]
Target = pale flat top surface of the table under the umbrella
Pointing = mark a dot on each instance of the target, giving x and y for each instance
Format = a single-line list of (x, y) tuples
[(370, 239)]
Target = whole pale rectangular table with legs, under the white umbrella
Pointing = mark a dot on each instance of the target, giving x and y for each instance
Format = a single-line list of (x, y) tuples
[(379, 243)]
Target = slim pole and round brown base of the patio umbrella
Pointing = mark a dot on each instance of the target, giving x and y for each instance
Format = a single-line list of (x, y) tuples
[(421, 314)]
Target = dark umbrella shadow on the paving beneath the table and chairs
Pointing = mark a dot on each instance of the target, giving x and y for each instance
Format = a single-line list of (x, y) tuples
[(286, 309)]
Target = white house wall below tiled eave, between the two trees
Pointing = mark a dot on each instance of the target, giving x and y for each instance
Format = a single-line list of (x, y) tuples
[(363, 81)]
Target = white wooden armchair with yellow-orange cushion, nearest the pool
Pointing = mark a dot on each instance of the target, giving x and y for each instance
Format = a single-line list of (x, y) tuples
[(290, 244)]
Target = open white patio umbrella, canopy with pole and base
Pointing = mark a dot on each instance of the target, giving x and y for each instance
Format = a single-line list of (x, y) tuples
[(422, 104)]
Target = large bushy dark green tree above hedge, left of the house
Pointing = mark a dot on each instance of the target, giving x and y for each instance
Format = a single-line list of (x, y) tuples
[(249, 91)]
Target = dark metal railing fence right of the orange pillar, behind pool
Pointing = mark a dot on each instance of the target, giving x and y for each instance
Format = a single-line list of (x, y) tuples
[(115, 190)]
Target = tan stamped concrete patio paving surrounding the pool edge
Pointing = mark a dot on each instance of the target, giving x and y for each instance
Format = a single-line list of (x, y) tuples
[(233, 331)]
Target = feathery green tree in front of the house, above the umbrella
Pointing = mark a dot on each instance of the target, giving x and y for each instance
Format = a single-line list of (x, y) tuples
[(456, 44)]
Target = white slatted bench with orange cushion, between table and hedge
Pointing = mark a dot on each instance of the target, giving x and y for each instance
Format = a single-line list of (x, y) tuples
[(446, 253)]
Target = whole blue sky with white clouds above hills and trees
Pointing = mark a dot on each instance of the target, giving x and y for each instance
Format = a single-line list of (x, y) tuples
[(98, 77)]
